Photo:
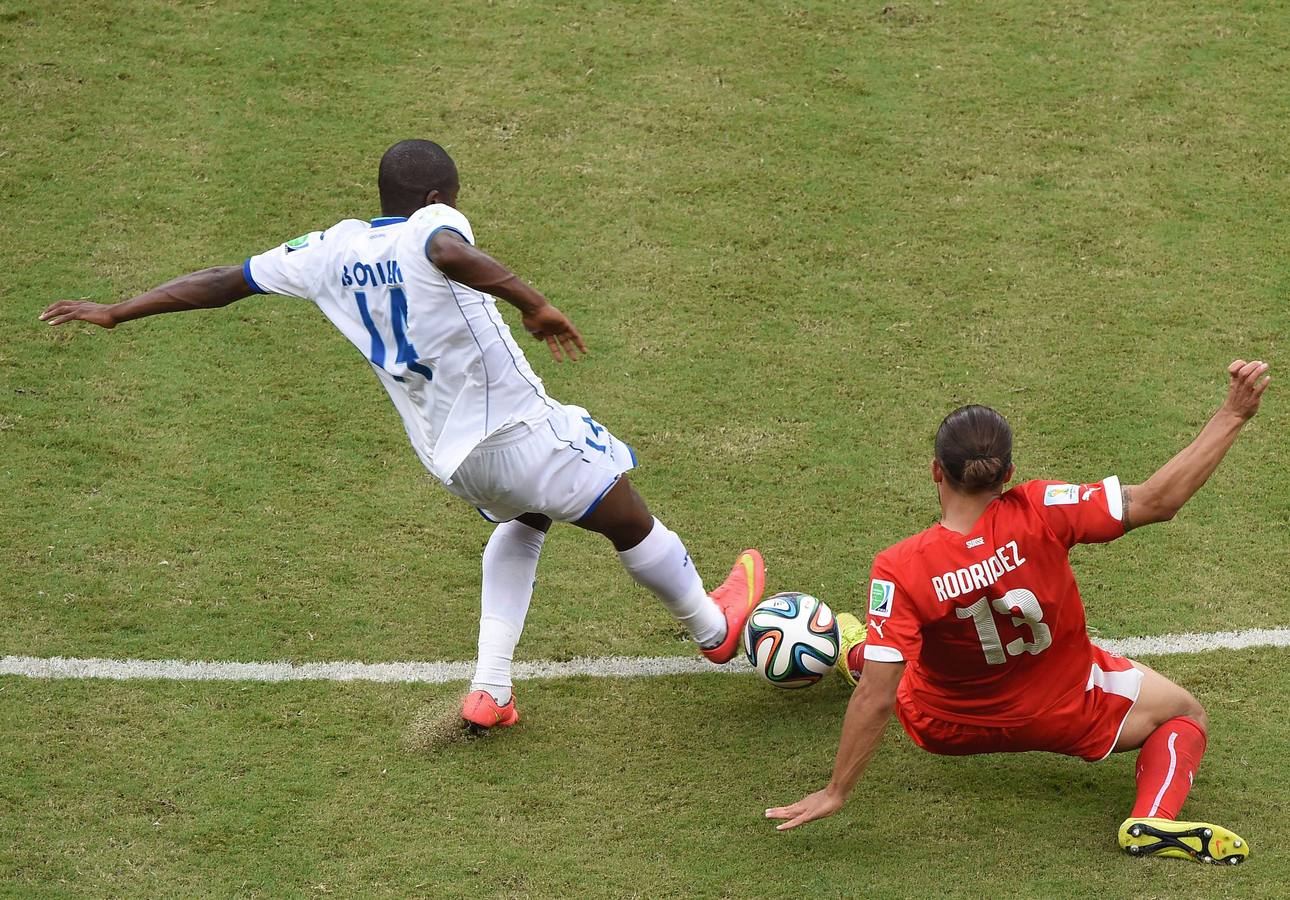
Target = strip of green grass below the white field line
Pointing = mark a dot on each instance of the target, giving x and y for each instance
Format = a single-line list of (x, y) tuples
[(296, 791)]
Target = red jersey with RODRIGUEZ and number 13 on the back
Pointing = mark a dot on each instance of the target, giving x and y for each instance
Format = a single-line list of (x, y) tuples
[(991, 622)]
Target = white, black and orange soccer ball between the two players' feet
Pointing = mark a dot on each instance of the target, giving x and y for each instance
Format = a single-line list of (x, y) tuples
[(791, 640)]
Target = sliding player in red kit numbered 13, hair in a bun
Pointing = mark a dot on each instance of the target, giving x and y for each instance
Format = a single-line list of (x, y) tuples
[(976, 634)]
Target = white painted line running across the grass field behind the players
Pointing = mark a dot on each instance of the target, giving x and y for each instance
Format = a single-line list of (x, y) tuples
[(602, 667)]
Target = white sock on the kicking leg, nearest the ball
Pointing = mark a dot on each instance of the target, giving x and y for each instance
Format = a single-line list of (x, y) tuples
[(661, 564)]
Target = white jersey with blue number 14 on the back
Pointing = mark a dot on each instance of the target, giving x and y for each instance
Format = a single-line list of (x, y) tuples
[(442, 350)]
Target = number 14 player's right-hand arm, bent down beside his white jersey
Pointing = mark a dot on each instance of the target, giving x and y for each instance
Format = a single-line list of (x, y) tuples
[(461, 262)]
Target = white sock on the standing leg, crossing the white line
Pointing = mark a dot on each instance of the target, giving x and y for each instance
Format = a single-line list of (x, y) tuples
[(510, 568)]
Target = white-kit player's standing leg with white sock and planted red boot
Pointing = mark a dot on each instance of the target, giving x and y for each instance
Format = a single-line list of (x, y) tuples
[(510, 568)]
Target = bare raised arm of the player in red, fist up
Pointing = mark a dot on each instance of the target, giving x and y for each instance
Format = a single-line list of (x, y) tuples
[(1163, 494)]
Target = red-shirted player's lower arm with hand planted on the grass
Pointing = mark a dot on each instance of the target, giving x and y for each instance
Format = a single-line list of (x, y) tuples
[(868, 716)]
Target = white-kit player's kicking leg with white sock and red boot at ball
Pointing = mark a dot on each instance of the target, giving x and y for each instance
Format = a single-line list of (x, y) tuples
[(657, 559)]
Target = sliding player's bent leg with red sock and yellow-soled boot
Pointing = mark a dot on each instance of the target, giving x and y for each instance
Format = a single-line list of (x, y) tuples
[(1168, 727)]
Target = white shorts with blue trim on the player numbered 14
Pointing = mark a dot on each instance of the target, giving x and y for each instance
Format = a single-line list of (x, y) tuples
[(561, 467)]
